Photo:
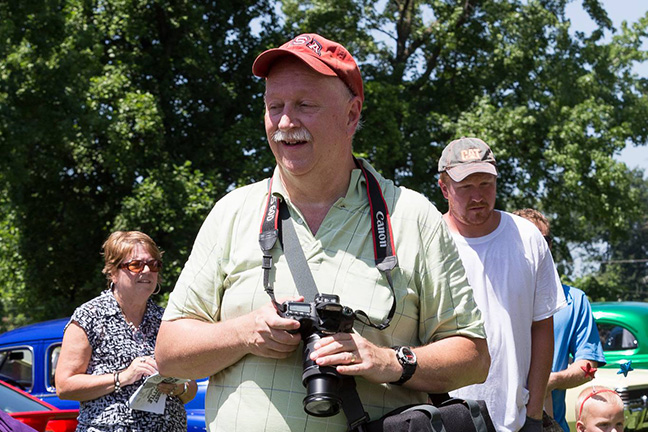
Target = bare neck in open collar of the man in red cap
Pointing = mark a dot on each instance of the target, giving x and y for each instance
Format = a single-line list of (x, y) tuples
[(315, 194)]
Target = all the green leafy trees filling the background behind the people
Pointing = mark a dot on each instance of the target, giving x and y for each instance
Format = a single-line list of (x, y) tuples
[(139, 114)]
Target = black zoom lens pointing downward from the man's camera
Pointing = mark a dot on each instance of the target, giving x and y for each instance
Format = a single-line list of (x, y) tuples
[(322, 384)]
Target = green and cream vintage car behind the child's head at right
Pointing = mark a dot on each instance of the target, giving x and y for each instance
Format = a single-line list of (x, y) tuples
[(623, 327)]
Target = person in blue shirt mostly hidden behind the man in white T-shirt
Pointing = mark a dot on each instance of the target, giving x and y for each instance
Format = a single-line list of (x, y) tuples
[(575, 336)]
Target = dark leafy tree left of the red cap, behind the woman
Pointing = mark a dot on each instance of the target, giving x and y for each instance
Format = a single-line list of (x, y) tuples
[(100, 101)]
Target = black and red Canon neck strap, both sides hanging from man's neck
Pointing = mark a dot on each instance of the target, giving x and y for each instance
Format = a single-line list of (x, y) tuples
[(384, 254)]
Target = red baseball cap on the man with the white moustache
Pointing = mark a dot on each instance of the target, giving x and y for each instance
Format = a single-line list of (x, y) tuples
[(322, 55)]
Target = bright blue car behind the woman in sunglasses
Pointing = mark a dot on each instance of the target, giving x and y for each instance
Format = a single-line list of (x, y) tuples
[(28, 357)]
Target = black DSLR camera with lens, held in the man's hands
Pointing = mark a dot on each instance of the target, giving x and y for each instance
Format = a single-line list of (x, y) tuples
[(324, 316)]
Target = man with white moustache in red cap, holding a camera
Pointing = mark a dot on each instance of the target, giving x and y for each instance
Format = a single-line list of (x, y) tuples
[(220, 321)]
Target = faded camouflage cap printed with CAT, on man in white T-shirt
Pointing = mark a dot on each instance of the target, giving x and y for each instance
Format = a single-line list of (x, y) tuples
[(467, 156)]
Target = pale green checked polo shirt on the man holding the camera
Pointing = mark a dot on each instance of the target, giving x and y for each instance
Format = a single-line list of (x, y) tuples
[(223, 279)]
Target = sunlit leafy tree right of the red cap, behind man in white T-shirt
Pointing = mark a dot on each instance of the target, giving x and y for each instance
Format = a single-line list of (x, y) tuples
[(556, 108)]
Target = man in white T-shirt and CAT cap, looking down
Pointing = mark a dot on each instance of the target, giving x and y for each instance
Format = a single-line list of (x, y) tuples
[(515, 283)]
